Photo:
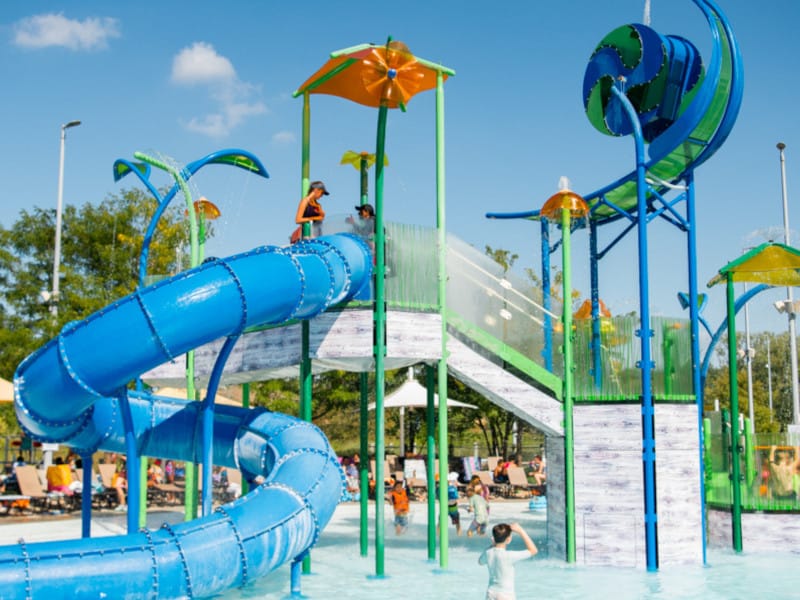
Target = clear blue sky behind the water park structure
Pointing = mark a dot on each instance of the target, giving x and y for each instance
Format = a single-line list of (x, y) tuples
[(185, 79)]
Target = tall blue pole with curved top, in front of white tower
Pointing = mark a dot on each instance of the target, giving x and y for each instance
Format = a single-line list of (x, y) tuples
[(645, 333)]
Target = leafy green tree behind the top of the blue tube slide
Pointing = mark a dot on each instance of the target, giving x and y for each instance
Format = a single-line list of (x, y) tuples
[(99, 264)]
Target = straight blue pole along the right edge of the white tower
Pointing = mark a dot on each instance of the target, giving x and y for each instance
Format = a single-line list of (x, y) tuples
[(694, 324)]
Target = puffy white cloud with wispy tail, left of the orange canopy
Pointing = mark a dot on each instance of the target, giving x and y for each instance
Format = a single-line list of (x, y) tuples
[(201, 64)]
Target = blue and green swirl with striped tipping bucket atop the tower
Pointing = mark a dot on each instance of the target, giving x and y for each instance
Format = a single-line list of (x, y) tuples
[(686, 111)]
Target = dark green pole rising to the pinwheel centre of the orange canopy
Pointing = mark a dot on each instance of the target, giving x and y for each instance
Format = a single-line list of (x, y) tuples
[(379, 350)]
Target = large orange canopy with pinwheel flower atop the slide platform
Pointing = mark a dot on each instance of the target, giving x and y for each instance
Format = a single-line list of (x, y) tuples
[(372, 75)]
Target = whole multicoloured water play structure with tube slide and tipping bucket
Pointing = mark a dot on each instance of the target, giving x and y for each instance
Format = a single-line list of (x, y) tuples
[(326, 303)]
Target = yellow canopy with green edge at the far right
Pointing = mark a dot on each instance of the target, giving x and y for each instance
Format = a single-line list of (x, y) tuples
[(770, 263)]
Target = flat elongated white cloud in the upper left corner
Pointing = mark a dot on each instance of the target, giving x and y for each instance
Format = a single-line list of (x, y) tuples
[(43, 31)]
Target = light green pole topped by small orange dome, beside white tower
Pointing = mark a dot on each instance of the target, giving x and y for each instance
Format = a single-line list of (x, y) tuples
[(569, 456)]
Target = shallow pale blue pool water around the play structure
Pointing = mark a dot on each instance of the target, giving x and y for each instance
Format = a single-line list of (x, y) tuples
[(339, 571)]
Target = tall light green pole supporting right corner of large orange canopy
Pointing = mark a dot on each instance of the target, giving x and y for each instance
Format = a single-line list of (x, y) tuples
[(442, 299)]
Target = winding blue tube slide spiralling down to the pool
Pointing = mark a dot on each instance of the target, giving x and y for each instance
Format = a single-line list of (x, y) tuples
[(71, 391)]
